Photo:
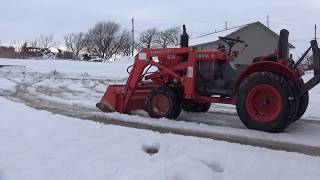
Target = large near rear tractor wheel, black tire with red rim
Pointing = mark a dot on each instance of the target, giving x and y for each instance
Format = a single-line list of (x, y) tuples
[(274, 111)]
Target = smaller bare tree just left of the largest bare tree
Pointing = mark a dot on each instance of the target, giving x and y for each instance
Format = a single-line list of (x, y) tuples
[(75, 43)]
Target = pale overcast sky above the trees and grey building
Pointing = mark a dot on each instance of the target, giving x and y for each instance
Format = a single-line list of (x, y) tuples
[(27, 19)]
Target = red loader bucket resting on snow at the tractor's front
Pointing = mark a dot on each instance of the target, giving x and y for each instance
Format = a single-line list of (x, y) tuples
[(112, 99)]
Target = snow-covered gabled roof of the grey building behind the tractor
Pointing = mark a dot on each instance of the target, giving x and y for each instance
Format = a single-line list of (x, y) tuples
[(213, 37)]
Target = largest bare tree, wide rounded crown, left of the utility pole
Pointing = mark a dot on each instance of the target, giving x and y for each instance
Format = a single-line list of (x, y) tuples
[(105, 39)]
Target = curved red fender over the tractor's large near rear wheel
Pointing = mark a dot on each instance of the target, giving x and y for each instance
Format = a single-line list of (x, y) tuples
[(270, 66)]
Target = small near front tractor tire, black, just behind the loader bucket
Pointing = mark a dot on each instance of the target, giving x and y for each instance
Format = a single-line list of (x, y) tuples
[(173, 105)]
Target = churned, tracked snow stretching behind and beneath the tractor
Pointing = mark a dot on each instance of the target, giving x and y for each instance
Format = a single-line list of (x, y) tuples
[(83, 92)]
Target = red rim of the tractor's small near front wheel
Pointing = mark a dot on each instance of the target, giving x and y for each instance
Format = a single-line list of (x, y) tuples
[(160, 104)]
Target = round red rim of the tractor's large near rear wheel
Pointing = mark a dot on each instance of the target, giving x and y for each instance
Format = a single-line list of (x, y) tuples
[(264, 103)]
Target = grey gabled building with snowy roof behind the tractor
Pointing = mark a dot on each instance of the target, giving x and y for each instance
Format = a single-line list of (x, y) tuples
[(260, 39)]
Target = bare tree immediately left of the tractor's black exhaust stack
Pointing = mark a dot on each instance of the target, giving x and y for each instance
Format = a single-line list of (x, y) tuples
[(168, 37)]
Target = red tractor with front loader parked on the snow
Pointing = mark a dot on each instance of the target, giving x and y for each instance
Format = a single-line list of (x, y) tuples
[(269, 94)]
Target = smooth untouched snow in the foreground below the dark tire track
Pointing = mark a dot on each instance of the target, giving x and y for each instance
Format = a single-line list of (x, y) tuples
[(41, 145)]
